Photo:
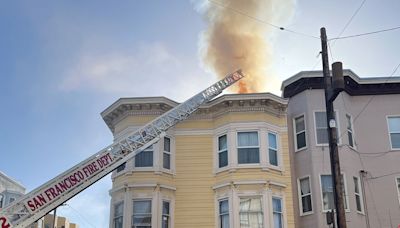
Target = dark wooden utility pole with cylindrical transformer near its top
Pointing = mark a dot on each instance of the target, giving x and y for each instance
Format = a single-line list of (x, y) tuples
[(332, 90)]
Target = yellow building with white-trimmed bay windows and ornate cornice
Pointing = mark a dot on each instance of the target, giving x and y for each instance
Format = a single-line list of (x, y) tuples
[(226, 166)]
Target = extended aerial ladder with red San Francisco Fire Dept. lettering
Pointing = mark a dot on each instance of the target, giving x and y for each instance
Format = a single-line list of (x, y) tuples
[(40, 201)]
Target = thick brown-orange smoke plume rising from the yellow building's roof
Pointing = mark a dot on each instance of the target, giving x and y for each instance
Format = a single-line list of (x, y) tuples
[(234, 40)]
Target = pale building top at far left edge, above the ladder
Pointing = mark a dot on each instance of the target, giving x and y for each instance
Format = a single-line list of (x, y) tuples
[(10, 190)]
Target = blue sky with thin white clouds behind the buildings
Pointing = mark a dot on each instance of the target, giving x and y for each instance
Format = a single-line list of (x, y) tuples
[(63, 62)]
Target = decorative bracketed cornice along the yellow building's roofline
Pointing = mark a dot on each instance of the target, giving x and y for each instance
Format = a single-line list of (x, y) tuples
[(255, 102)]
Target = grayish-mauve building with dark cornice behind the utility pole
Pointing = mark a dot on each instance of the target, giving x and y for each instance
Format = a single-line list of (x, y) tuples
[(368, 120)]
